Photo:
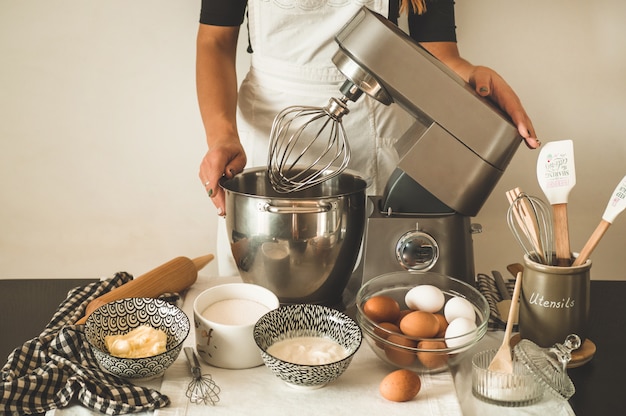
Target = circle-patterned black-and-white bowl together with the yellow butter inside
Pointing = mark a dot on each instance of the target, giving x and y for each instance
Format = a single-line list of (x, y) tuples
[(136, 338)]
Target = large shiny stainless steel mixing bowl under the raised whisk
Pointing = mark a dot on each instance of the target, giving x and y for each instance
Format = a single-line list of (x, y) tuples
[(302, 245)]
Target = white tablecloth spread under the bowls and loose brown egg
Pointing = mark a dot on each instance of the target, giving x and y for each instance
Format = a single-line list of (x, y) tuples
[(257, 391)]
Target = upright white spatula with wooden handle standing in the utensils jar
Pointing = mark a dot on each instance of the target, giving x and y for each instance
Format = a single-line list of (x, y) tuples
[(556, 174)]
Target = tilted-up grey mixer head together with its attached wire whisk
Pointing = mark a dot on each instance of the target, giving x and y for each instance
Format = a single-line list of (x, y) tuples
[(457, 149)]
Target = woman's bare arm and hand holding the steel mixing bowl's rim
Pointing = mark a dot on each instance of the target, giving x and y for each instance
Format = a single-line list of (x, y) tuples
[(216, 84)]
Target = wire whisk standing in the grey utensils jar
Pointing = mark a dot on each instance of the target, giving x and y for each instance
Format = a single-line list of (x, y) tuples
[(530, 221)]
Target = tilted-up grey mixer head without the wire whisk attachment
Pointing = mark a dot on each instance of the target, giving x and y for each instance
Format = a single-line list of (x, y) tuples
[(461, 143)]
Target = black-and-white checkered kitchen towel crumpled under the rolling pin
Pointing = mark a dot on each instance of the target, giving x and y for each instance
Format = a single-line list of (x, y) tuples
[(49, 371)]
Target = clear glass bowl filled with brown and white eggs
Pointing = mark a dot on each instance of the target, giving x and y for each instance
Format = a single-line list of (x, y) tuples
[(421, 321)]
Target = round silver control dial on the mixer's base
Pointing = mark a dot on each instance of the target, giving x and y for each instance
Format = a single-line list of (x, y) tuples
[(417, 250)]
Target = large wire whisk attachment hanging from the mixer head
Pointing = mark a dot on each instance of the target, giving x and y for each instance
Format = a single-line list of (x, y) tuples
[(309, 145)]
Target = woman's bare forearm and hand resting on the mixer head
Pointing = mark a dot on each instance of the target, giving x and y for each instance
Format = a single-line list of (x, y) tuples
[(487, 84)]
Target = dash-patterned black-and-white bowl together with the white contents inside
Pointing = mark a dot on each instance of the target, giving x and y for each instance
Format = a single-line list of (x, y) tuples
[(307, 345)]
